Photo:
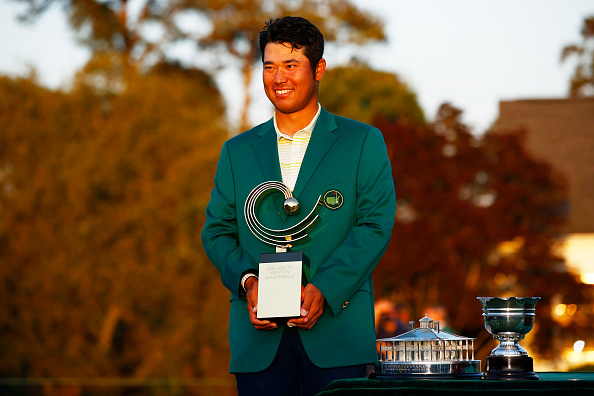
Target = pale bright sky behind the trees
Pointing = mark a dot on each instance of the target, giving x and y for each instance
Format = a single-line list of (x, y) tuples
[(470, 53)]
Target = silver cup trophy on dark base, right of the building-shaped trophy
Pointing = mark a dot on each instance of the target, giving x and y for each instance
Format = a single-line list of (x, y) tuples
[(509, 319)]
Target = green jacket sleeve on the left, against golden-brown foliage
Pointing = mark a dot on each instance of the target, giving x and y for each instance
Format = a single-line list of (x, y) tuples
[(220, 236)]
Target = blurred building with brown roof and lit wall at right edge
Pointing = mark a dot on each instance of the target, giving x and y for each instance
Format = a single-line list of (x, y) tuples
[(561, 132)]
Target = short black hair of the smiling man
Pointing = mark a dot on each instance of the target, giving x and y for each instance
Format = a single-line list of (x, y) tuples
[(299, 33)]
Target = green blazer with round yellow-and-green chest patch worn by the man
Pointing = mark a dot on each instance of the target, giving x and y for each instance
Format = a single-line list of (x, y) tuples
[(342, 155)]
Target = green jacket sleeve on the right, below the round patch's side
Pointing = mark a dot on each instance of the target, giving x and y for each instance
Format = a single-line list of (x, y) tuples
[(351, 264)]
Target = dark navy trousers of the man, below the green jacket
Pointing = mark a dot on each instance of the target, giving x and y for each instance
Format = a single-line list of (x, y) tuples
[(292, 373)]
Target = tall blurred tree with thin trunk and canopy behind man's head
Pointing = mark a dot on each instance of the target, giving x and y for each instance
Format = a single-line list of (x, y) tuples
[(223, 27)]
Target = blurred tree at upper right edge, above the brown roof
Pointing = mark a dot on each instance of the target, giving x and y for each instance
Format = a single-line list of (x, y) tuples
[(582, 81)]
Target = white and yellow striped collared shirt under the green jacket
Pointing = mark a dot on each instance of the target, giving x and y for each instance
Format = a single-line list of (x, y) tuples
[(292, 149)]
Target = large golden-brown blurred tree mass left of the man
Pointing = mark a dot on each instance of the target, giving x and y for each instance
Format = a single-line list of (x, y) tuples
[(101, 204)]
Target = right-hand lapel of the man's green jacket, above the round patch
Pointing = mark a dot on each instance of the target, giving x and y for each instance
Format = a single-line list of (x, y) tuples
[(322, 138)]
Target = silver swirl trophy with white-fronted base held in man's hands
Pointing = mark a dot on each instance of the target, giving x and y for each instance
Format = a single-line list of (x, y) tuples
[(280, 274)]
